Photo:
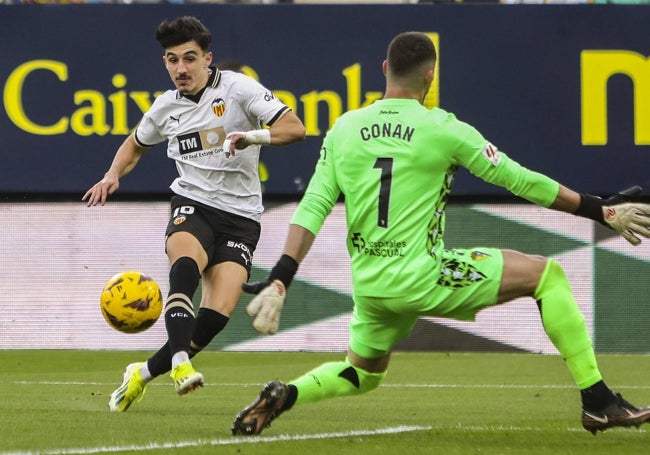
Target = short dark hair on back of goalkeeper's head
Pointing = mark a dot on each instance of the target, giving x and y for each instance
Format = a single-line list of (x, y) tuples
[(409, 50)]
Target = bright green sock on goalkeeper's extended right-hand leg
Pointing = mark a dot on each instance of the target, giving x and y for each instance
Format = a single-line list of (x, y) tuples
[(565, 325)]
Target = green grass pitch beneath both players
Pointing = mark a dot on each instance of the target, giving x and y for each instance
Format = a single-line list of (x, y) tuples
[(55, 402)]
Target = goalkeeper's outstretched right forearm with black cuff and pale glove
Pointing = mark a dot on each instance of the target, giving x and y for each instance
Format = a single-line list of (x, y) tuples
[(630, 219)]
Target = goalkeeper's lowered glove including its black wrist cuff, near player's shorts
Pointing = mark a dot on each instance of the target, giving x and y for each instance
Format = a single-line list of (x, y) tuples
[(267, 305)]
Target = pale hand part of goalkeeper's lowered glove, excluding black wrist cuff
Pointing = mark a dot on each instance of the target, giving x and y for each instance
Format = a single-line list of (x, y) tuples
[(266, 306)]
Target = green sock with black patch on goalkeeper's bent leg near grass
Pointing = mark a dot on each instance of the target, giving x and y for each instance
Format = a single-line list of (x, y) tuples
[(334, 379)]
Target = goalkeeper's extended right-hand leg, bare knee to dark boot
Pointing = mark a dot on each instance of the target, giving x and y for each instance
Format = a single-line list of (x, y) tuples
[(563, 322)]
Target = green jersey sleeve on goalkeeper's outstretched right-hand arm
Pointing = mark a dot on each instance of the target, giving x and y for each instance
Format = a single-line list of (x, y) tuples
[(488, 163)]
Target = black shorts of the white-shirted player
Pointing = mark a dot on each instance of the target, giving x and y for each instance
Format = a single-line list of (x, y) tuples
[(224, 236)]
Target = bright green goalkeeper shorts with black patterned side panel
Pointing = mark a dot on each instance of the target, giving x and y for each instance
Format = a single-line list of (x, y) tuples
[(468, 282)]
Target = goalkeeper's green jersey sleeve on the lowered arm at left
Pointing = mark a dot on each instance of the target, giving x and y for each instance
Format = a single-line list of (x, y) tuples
[(322, 192)]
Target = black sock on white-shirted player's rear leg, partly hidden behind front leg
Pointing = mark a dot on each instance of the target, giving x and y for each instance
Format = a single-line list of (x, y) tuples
[(208, 324)]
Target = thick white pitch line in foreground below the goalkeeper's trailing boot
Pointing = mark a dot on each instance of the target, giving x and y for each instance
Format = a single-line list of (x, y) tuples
[(222, 442)]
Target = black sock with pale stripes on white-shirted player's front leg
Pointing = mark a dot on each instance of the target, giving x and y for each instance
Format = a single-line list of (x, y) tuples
[(184, 278)]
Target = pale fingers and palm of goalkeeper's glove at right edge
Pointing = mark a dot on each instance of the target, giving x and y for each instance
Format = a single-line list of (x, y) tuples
[(631, 220)]
